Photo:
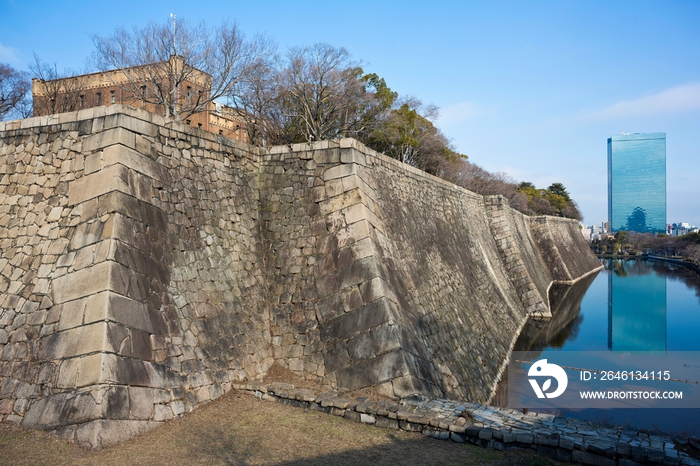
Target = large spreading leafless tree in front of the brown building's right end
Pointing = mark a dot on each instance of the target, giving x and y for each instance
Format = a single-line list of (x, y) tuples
[(180, 68)]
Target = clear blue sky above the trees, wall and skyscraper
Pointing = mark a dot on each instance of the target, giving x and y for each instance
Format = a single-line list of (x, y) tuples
[(531, 88)]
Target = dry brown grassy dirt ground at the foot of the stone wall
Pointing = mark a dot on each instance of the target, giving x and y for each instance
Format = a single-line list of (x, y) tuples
[(239, 429)]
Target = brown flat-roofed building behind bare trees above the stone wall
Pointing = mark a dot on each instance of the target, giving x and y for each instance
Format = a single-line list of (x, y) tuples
[(132, 87)]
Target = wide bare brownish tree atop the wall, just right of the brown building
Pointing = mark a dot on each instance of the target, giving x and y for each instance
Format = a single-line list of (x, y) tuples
[(312, 93)]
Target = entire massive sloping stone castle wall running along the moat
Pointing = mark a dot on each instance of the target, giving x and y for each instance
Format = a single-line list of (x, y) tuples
[(147, 266)]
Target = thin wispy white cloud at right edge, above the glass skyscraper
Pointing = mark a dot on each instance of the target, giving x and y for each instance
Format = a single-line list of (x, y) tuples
[(674, 100)]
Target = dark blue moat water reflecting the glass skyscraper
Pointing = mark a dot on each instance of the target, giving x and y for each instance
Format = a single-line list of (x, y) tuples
[(627, 306)]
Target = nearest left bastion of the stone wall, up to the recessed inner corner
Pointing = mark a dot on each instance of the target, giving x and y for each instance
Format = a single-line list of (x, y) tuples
[(133, 285)]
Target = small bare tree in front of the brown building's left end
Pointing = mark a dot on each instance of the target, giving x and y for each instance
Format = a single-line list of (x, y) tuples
[(56, 91)]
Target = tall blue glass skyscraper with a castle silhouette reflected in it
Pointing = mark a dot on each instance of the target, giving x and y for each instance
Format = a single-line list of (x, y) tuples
[(637, 182)]
